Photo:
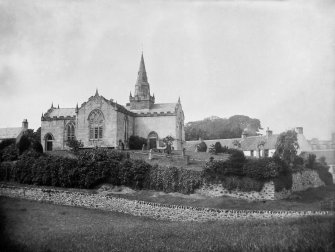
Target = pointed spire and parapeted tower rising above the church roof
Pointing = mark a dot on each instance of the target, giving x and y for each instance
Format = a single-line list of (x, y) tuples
[(142, 98)]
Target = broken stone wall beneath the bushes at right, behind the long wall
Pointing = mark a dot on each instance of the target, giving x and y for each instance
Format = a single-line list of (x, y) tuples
[(300, 181)]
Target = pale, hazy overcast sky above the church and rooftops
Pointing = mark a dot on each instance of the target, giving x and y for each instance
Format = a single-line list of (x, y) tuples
[(271, 60)]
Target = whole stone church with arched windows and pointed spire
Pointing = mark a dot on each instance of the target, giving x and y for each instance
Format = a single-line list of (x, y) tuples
[(100, 122)]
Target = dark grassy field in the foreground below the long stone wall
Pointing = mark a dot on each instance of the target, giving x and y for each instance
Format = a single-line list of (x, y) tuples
[(34, 226)]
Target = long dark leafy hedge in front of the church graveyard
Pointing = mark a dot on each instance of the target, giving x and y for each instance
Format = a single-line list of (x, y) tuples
[(93, 167)]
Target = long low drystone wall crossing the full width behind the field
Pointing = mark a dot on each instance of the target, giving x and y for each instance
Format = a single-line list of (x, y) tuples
[(142, 208)]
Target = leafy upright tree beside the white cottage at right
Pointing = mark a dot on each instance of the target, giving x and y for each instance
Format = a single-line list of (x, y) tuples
[(287, 146)]
